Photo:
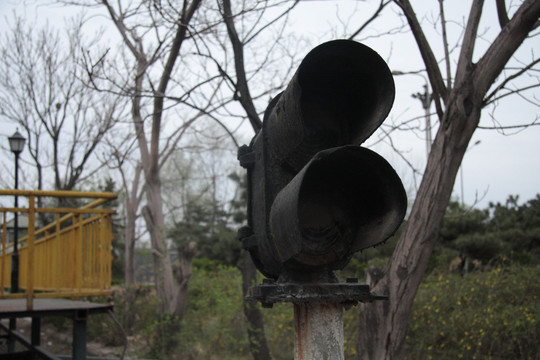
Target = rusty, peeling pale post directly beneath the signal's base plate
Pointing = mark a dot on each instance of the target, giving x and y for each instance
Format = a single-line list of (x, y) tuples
[(318, 331)]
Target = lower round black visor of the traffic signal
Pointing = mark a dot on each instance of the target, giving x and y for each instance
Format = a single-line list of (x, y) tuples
[(344, 200)]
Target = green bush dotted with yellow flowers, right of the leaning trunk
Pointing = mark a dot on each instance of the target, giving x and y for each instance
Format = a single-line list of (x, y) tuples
[(488, 315)]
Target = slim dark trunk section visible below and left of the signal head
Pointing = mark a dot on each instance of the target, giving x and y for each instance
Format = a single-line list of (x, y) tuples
[(256, 335)]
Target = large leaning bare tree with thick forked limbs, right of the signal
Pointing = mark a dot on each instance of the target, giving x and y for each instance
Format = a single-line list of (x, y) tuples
[(459, 101)]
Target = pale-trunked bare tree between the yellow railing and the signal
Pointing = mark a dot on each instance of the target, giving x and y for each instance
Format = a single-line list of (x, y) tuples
[(152, 36)]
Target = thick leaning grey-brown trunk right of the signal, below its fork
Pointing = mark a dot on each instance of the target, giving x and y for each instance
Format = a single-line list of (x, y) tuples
[(383, 324)]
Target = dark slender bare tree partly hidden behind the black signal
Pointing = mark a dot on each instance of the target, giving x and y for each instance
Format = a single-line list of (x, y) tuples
[(237, 79)]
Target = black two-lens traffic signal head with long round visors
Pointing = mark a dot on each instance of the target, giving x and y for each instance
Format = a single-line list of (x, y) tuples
[(315, 197)]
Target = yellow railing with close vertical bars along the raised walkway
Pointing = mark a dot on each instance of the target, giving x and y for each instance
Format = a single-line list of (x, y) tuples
[(69, 257)]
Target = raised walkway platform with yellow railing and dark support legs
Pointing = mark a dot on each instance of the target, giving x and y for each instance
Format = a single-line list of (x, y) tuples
[(70, 257)]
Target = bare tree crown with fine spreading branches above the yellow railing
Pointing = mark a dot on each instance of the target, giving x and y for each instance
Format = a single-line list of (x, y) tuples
[(41, 90)]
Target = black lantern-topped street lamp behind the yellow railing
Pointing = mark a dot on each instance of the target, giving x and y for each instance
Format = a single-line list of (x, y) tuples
[(16, 144)]
